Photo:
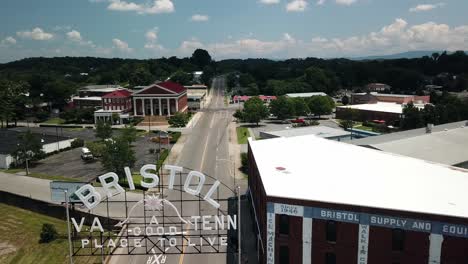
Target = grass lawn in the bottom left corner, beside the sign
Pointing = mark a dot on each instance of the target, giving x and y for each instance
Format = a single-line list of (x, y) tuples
[(20, 230)]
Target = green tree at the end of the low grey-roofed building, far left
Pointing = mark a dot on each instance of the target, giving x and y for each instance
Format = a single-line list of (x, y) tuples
[(29, 148)]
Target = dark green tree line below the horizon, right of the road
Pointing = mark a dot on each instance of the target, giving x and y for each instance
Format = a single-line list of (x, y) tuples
[(268, 77)]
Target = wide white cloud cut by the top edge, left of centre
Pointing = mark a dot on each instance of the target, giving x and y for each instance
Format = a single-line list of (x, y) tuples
[(154, 7)]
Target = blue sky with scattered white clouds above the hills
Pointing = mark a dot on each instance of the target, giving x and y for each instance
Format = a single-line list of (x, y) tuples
[(229, 28)]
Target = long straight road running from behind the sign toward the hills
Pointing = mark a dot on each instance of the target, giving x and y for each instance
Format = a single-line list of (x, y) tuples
[(206, 150)]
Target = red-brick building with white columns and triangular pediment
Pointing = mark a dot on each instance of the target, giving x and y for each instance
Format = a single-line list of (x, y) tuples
[(160, 99)]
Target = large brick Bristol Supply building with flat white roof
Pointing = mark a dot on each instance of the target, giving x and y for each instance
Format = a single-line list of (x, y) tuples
[(325, 202)]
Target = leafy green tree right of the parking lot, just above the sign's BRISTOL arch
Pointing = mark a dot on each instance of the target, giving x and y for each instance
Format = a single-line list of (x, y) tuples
[(117, 155)]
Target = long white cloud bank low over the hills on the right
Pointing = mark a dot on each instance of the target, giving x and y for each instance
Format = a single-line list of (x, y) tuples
[(396, 37)]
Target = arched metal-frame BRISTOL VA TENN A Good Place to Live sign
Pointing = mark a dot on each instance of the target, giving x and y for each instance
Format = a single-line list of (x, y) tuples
[(179, 211)]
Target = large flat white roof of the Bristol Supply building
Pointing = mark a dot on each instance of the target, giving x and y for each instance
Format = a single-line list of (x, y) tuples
[(328, 171)]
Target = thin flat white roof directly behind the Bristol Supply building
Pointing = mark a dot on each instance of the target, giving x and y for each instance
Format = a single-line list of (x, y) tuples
[(321, 131)]
